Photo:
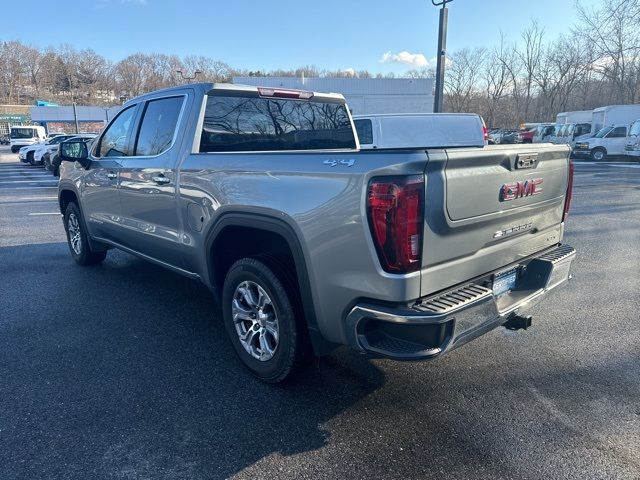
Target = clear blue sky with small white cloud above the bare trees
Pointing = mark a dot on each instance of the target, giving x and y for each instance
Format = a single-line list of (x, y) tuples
[(265, 35)]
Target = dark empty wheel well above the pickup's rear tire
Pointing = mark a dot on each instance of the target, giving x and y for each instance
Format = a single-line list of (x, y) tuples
[(236, 242)]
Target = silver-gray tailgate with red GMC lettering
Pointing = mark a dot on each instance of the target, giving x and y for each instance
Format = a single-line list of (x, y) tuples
[(487, 208)]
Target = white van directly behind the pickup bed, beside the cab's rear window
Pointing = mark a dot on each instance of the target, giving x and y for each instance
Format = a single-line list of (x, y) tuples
[(428, 130)]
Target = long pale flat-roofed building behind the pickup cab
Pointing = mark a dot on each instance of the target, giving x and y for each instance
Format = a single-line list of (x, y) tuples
[(364, 95)]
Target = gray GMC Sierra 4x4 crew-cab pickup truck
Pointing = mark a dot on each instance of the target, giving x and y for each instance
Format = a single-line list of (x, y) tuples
[(307, 242)]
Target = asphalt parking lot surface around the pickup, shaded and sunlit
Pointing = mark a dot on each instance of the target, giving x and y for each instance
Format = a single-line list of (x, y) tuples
[(124, 371)]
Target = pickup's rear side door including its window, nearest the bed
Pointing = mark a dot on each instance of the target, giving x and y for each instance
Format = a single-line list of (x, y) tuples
[(148, 183)]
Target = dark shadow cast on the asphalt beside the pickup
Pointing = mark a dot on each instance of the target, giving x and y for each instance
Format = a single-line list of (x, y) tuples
[(122, 370)]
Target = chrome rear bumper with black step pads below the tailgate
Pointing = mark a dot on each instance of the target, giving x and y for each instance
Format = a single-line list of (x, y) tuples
[(436, 324)]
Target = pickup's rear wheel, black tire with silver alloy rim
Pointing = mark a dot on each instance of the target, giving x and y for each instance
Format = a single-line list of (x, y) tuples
[(263, 319)]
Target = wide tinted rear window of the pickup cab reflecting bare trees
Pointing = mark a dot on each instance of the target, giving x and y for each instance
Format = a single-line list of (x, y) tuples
[(252, 123)]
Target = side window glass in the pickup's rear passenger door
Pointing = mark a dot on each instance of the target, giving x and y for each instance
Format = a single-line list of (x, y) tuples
[(158, 125)]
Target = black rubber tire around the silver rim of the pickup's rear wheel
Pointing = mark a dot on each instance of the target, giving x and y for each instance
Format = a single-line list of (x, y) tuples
[(292, 350)]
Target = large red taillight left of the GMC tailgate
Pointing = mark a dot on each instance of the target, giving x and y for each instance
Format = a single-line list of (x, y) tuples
[(394, 207)]
